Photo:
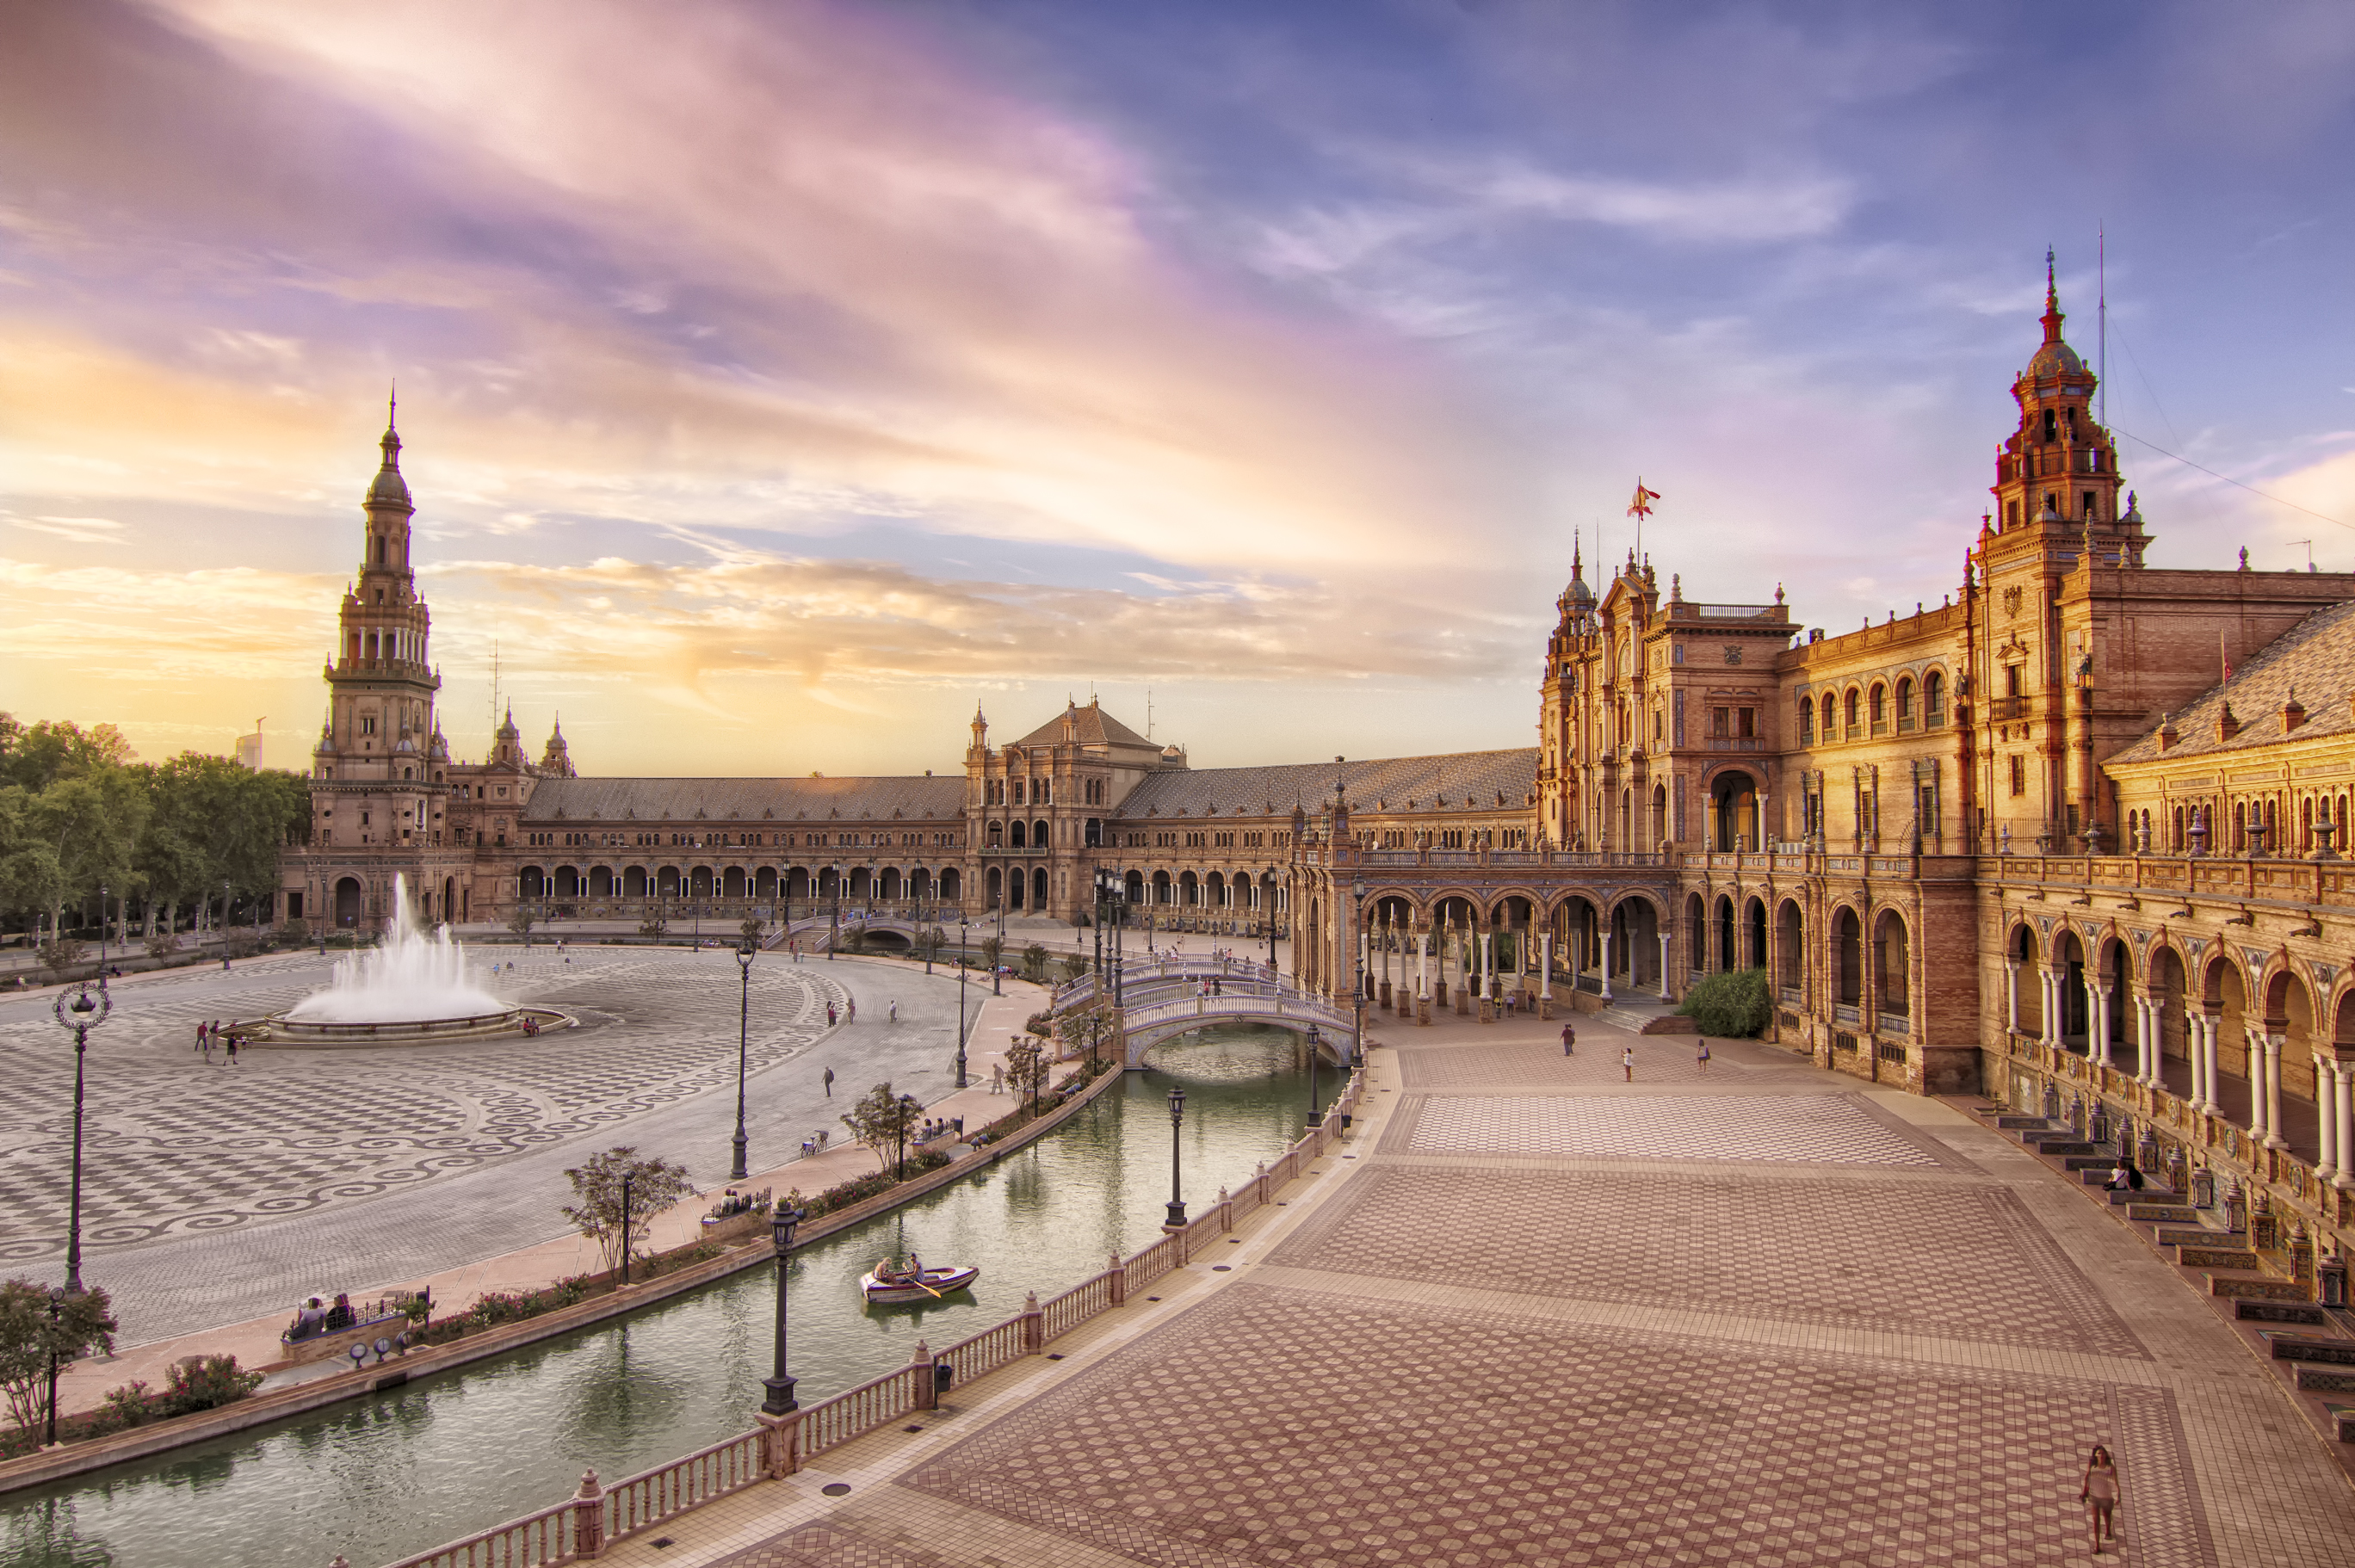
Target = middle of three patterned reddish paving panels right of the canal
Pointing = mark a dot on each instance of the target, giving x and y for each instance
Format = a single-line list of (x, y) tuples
[(1951, 1261)]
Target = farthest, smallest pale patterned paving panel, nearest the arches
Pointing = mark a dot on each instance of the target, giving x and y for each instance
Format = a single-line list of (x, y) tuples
[(1793, 1129)]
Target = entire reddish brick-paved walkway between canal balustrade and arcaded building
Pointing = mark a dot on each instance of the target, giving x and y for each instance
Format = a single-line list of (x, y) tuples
[(1760, 1317)]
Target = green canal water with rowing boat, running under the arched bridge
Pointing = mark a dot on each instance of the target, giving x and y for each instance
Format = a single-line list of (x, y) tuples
[(399, 1473)]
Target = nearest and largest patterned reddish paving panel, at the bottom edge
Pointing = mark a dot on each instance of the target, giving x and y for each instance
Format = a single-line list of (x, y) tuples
[(1318, 1433)]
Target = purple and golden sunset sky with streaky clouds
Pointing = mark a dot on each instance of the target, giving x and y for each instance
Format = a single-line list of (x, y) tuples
[(783, 383)]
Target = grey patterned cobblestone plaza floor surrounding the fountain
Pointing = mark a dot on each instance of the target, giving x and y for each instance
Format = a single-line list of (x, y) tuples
[(213, 1195)]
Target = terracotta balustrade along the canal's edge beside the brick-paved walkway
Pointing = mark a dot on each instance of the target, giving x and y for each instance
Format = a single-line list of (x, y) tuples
[(590, 1522)]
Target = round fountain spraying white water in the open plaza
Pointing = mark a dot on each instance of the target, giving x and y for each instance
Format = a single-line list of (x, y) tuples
[(413, 985)]
